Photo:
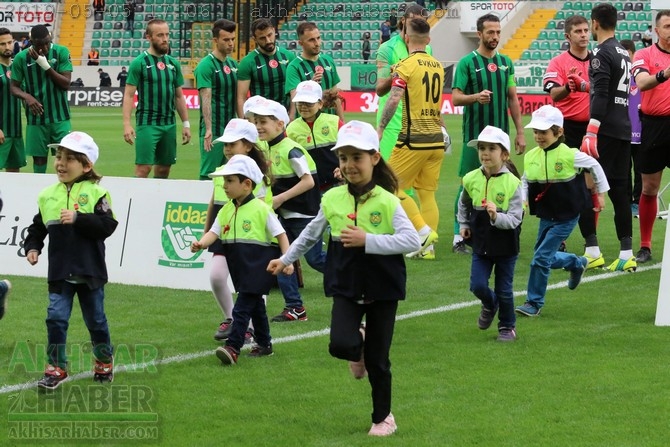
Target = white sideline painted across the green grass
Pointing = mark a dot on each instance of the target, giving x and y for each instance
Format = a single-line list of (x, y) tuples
[(6, 389)]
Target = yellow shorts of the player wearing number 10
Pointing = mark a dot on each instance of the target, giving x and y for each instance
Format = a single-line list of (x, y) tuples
[(418, 169)]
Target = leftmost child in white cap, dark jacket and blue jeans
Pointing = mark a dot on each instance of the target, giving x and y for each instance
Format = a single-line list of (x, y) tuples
[(77, 216)]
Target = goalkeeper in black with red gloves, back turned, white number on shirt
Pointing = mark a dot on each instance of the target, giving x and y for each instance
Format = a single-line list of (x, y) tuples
[(608, 133)]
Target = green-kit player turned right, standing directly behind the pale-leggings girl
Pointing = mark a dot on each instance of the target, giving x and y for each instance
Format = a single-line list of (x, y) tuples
[(216, 78)]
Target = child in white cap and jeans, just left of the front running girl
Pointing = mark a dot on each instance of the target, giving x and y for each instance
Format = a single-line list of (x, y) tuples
[(296, 196)]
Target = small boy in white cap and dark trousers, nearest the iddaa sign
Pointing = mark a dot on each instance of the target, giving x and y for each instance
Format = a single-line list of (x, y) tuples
[(247, 228)]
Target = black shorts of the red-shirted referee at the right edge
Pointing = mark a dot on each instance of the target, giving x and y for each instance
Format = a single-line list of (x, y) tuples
[(653, 155)]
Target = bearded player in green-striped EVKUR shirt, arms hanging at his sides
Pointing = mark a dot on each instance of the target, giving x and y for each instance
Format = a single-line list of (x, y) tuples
[(157, 79)]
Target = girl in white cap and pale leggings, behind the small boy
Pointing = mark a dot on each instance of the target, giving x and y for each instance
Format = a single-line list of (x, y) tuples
[(239, 137)]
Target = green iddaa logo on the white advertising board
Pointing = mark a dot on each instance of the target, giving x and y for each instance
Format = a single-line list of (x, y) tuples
[(183, 224)]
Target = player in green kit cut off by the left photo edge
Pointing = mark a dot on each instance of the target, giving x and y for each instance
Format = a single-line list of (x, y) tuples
[(12, 152)]
